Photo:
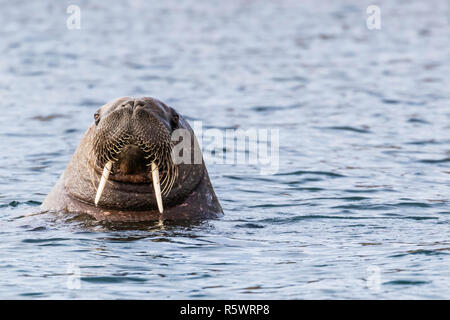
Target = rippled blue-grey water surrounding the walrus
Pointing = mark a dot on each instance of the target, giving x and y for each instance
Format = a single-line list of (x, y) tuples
[(360, 206)]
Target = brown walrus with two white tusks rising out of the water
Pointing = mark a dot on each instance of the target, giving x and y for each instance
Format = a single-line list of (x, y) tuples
[(125, 168)]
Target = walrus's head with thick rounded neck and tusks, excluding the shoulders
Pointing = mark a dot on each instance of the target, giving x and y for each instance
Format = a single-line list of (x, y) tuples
[(128, 155)]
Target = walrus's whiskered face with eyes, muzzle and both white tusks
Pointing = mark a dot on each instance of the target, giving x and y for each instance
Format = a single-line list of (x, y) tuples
[(132, 144)]
